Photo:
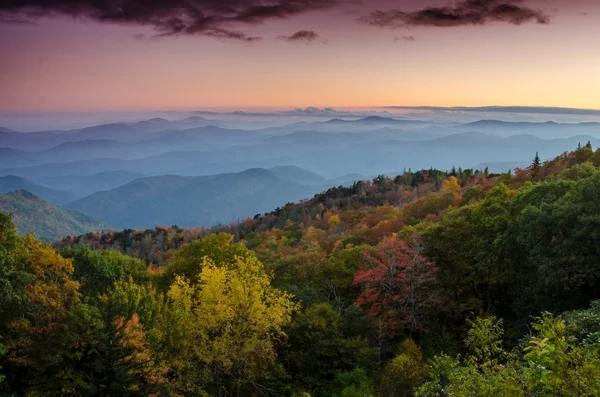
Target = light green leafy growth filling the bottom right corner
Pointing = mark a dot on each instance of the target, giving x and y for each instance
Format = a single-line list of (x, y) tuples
[(555, 363)]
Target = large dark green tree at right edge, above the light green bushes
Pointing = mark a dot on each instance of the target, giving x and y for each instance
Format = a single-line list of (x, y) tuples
[(557, 229)]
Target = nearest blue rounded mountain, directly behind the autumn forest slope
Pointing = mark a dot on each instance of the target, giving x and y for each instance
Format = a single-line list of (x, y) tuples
[(193, 201)]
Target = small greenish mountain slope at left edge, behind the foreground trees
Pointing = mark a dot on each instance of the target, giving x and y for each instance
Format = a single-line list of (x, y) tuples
[(49, 222)]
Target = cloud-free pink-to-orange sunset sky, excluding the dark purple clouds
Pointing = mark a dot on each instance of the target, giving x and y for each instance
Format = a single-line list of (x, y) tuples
[(63, 64)]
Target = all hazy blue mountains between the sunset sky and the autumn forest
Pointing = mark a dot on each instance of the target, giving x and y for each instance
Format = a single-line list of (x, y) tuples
[(195, 171)]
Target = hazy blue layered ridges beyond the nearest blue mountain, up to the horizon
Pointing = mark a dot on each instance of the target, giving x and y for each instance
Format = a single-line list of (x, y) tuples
[(73, 160)]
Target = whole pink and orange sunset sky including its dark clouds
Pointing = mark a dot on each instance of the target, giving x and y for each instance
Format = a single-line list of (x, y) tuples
[(73, 56)]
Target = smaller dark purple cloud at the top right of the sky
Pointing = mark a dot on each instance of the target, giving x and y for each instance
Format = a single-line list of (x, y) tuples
[(466, 12)]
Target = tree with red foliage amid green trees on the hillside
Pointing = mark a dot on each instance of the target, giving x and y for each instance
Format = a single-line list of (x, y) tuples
[(399, 285)]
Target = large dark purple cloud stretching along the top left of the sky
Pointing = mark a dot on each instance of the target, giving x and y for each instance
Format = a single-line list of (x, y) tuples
[(214, 18)]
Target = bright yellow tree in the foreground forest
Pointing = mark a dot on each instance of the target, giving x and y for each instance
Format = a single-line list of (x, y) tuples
[(233, 319)]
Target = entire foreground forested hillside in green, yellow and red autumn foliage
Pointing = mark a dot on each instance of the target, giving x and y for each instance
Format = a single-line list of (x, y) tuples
[(460, 283)]
